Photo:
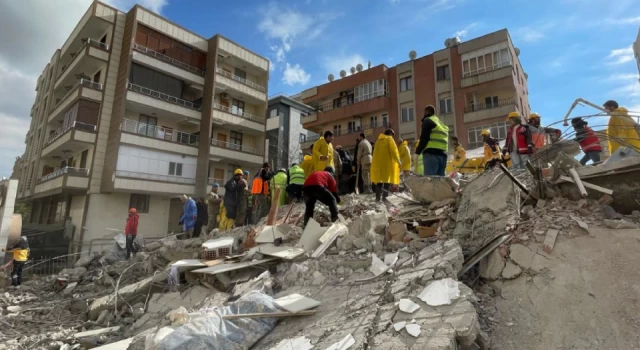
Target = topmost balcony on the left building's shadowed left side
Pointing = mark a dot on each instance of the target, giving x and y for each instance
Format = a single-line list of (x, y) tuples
[(92, 56)]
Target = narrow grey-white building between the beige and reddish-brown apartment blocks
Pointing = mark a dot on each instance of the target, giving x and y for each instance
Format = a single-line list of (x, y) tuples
[(285, 134)]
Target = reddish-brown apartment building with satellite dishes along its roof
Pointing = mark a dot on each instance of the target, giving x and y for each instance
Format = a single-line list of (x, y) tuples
[(473, 85)]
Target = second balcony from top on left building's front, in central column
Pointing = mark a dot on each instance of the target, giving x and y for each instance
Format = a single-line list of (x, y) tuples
[(148, 101)]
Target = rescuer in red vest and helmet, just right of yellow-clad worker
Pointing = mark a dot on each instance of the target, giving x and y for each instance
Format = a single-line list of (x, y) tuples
[(519, 144)]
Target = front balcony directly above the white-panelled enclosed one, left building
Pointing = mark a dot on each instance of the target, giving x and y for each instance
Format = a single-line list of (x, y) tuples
[(153, 136)]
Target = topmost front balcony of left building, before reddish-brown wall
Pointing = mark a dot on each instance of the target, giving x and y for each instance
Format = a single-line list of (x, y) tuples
[(169, 65)]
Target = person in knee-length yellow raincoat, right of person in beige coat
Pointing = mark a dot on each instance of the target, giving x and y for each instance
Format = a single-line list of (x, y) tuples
[(385, 165)]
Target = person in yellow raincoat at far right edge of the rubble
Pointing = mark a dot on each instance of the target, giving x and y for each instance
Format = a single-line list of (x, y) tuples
[(621, 130)]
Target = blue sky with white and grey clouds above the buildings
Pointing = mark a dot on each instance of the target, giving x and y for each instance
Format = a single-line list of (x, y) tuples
[(569, 48)]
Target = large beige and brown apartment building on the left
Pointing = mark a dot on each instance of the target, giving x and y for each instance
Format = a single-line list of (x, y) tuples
[(133, 111)]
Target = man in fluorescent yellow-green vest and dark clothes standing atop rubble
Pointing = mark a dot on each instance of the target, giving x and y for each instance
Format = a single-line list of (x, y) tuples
[(433, 143)]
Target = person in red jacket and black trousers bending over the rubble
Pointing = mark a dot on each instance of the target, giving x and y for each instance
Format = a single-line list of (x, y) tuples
[(321, 186)]
